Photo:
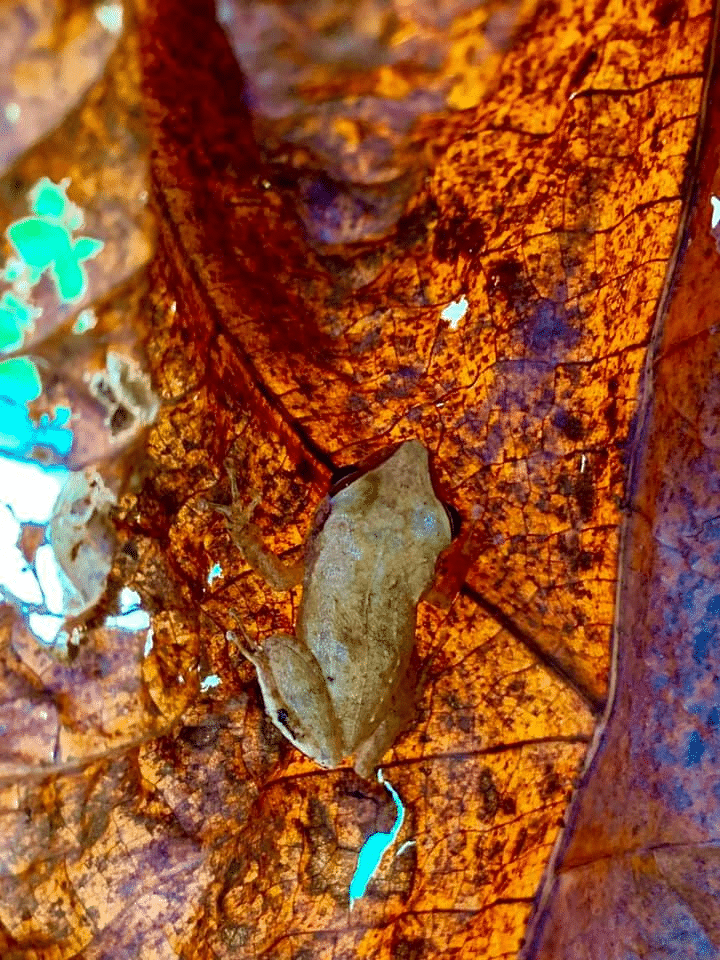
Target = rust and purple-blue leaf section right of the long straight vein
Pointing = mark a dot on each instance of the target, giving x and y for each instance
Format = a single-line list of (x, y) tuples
[(642, 829)]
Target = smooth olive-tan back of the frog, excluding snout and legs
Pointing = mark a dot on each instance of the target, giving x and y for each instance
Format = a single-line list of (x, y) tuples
[(367, 569)]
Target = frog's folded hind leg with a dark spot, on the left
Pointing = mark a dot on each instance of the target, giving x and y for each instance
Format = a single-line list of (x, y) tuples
[(295, 695)]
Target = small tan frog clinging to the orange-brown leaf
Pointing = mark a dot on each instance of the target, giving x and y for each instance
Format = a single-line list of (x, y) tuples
[(340, 686)]
